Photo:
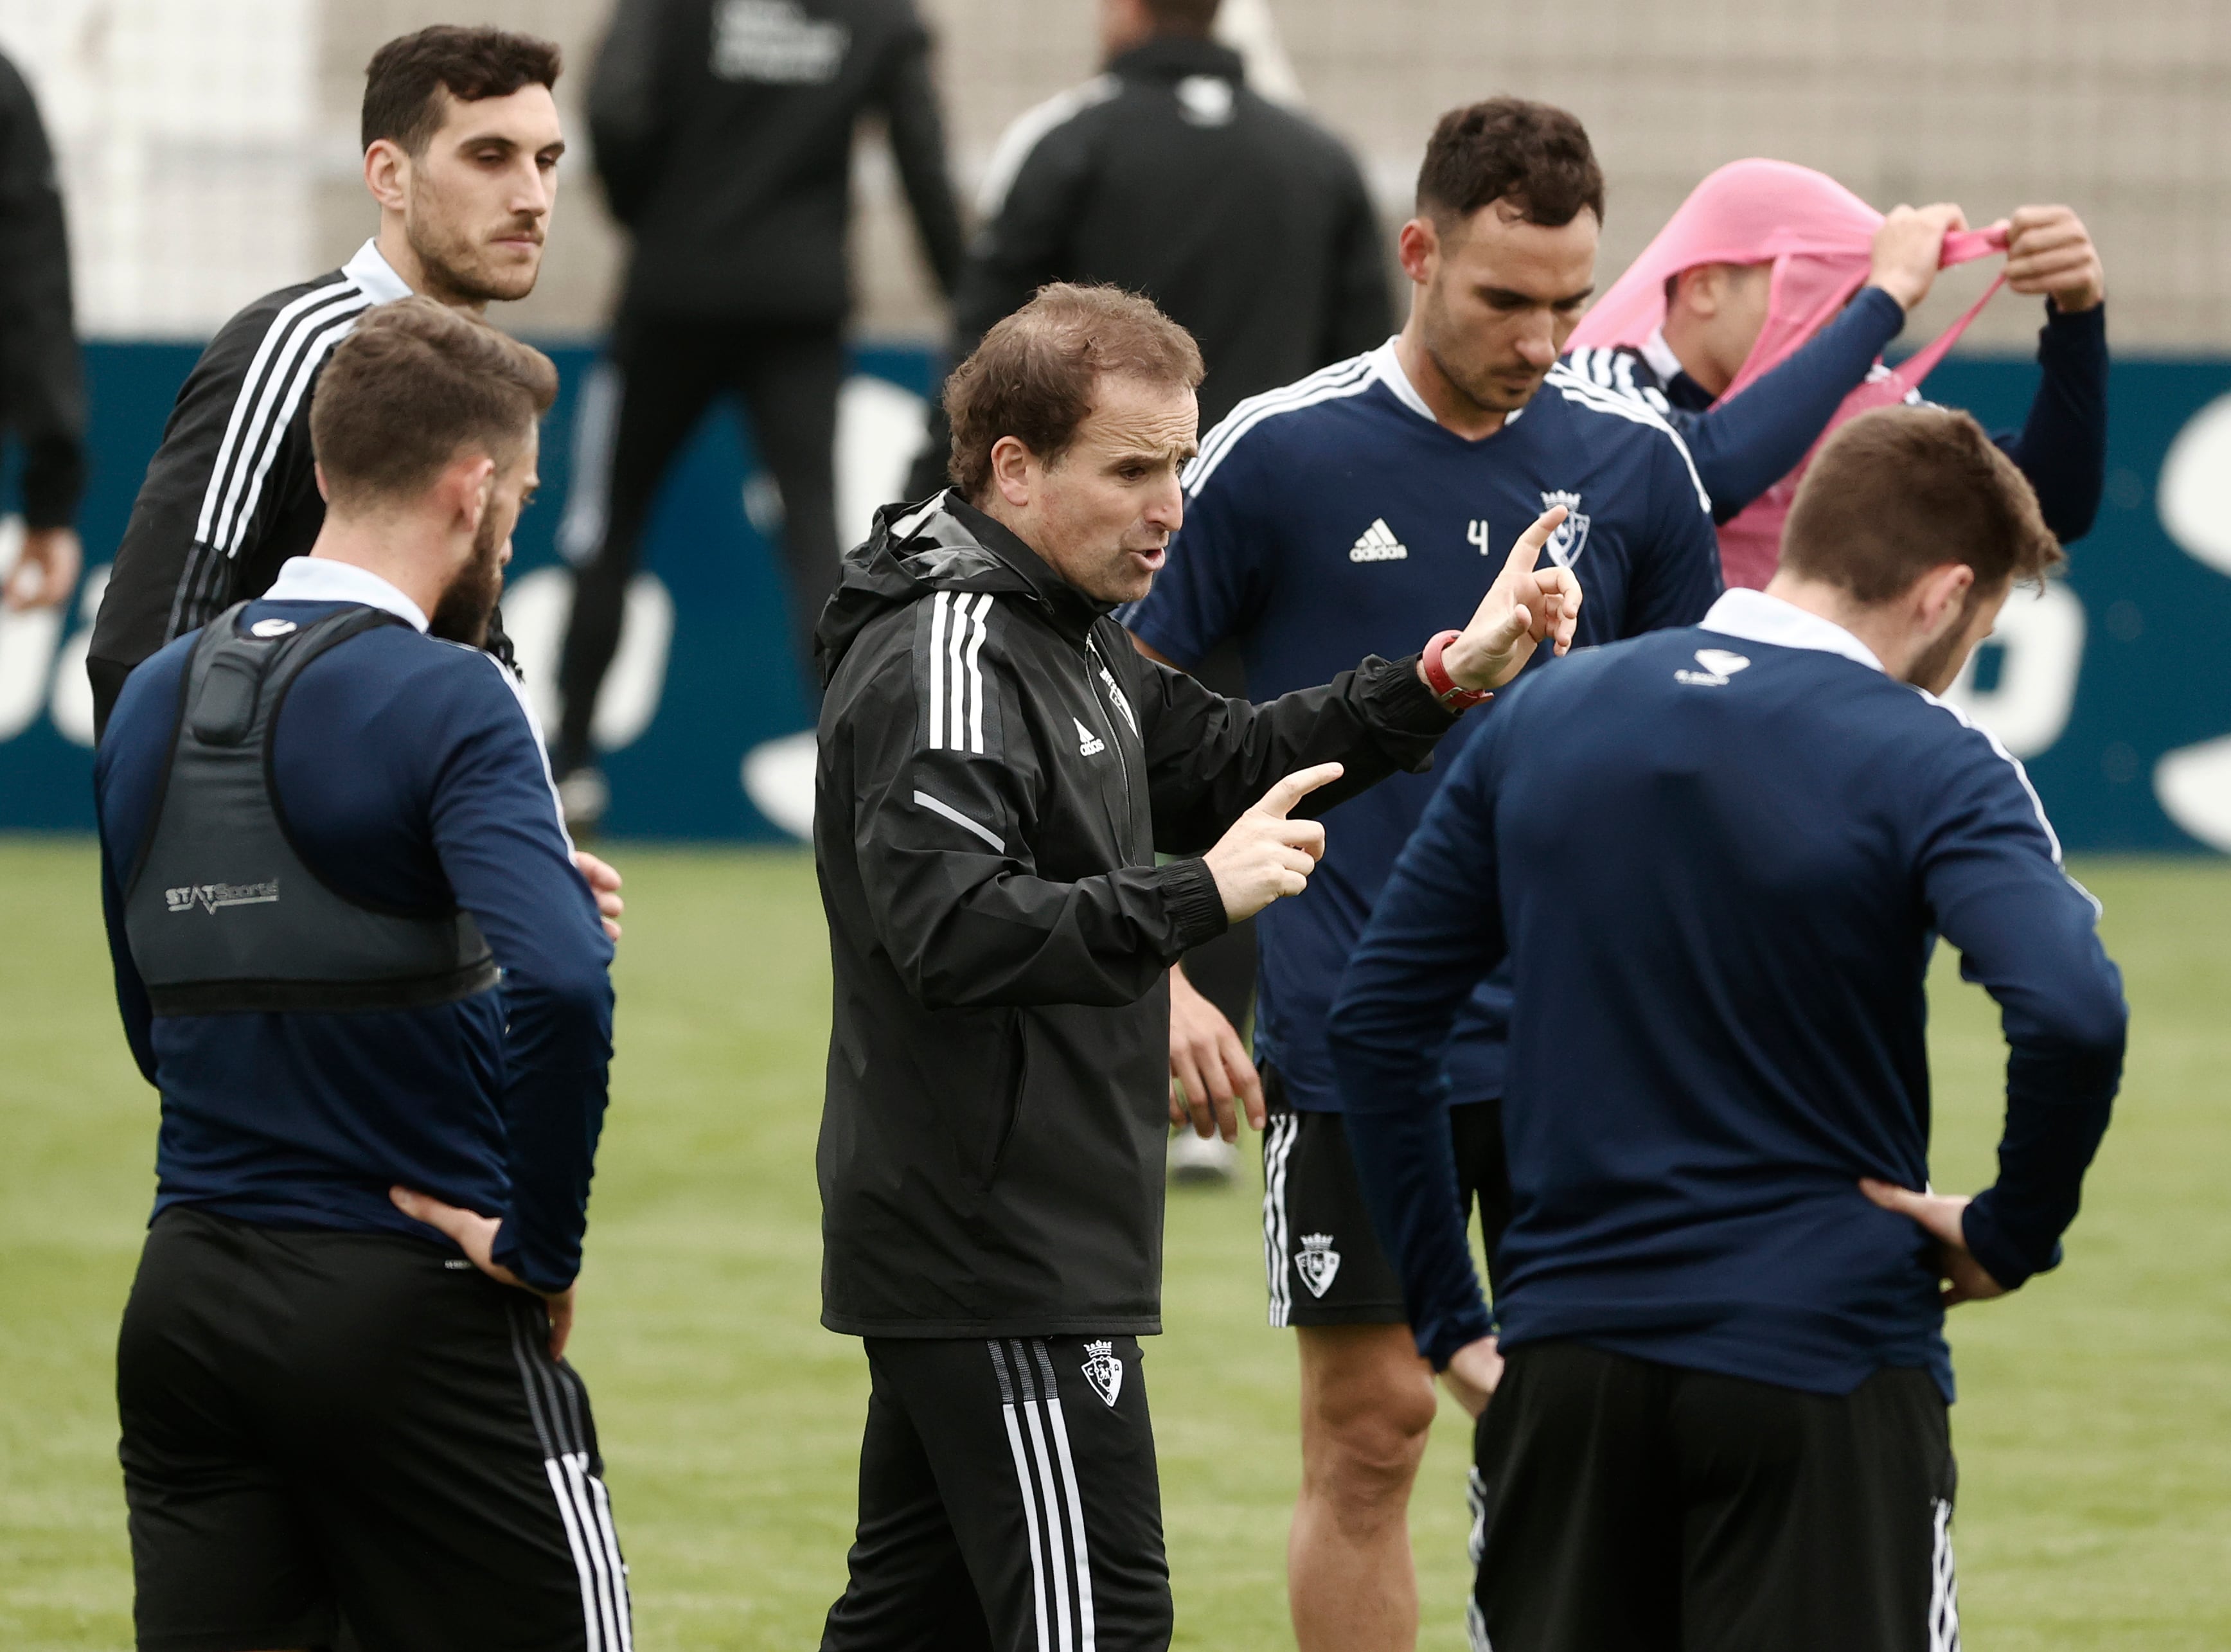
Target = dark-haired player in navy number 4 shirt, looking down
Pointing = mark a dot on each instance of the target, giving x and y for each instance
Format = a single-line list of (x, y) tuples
[(1335, 517)]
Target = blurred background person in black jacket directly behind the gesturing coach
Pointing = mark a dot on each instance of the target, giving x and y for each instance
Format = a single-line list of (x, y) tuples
[(1246, 222)]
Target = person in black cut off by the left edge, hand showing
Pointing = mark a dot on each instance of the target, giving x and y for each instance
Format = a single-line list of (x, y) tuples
[(41, 378)]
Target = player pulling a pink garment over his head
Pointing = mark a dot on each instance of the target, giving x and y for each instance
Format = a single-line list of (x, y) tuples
[(1757, 318)]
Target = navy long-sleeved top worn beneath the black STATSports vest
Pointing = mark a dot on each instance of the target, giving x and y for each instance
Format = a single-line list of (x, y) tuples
[(409, 776)]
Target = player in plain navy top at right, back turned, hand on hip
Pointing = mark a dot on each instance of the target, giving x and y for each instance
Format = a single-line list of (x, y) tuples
[(1719, 861)]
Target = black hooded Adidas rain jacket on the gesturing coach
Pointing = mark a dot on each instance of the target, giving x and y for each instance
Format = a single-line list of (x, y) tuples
[(998, 771)]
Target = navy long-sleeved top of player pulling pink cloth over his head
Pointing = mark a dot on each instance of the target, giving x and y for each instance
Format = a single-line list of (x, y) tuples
[(1752, 441)]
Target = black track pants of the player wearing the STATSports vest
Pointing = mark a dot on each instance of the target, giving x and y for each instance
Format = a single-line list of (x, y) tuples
[(360, 1437)]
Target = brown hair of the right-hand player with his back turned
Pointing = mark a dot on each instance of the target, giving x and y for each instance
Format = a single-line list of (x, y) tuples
[(1904, 490)]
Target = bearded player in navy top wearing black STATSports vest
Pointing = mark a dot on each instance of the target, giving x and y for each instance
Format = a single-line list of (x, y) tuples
[(371, 986)]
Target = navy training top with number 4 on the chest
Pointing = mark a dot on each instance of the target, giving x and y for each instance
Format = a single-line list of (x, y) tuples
[(1335, 519)]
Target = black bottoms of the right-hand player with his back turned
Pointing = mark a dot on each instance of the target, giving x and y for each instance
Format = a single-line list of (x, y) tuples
[(1636, 1506)]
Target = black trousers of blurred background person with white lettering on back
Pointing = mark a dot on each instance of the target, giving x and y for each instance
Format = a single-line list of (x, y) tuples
[(668, 374)]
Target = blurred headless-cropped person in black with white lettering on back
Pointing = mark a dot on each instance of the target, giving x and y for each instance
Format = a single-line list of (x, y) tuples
[(724, 137)]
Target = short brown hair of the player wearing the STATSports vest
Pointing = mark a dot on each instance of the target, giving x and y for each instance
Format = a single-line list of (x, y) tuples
[(412, 387)]
